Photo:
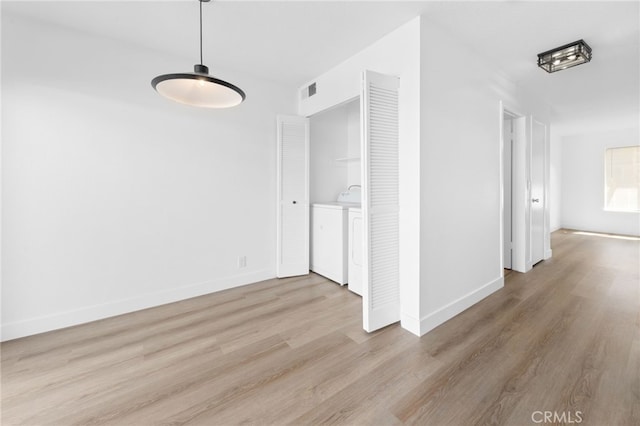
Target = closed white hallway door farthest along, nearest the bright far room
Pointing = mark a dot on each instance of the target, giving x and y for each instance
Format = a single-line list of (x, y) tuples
[(538, 131)]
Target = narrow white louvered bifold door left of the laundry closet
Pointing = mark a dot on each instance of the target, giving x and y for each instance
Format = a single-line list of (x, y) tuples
[(292, 196)]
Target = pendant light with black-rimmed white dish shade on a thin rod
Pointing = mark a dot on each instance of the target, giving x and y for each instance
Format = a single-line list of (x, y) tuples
[(198, 88)]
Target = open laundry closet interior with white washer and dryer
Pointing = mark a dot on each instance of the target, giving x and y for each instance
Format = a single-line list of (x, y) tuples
[(335, 196)]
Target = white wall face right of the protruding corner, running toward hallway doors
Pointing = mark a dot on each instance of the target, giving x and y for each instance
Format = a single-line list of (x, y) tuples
[(460, 161)]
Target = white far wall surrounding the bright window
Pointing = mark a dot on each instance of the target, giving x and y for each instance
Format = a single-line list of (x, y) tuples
[(583, 182)]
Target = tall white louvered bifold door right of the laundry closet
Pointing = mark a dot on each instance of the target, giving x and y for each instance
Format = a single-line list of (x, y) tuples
[(380, 169)]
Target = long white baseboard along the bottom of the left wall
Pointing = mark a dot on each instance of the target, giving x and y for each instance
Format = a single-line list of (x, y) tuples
[(14, 330)]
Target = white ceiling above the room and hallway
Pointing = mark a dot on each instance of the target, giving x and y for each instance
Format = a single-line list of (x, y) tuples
[(294, 41)]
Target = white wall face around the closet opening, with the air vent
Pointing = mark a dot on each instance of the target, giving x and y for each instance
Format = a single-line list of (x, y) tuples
[(397, 53)]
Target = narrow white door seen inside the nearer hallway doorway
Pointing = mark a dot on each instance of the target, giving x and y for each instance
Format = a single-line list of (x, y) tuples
[(507, 162)]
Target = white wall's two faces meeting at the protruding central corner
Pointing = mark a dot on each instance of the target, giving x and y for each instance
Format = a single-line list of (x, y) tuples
[(450, 163)]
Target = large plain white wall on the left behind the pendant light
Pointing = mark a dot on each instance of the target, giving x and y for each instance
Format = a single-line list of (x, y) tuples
[(115, 199)]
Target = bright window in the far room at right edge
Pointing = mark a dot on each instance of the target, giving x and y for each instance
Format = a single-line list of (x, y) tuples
[(622, 179)]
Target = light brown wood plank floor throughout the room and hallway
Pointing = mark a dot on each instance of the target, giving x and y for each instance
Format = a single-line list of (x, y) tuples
[(564, 337)]
